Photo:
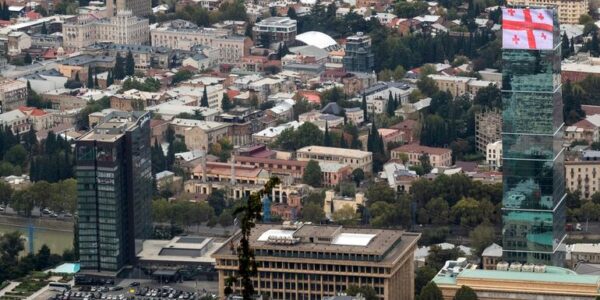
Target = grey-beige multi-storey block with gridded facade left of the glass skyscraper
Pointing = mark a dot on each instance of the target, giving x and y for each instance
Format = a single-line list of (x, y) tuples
[(488, 128)]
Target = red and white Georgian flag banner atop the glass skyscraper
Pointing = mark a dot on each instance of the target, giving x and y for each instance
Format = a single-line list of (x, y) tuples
[(525, 28)]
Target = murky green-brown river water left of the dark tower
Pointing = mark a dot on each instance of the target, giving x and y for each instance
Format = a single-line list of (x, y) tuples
[(57, 241)]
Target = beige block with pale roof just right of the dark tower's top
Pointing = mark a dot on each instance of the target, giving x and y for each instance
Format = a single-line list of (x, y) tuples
[(199, 134)]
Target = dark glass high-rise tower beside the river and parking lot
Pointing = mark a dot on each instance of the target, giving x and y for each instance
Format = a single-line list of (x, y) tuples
[(113, 171)]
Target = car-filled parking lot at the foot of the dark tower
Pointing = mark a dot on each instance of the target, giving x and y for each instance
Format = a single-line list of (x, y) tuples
[(146, 290)]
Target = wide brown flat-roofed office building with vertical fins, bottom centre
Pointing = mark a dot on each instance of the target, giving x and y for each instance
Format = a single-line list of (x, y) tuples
[(304, 261)]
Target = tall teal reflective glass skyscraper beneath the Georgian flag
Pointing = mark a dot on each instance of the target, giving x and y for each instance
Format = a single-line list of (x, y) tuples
[(533, 162)]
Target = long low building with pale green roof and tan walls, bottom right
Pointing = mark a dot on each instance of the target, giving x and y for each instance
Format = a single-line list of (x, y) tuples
[(516, 281)]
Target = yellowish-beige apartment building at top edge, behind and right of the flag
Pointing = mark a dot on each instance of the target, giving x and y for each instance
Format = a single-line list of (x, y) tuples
[(569, 11)]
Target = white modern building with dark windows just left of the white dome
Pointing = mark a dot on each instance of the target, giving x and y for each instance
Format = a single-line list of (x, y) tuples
[(275, 30)]
